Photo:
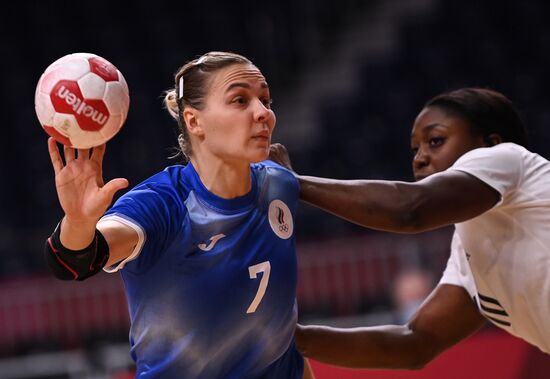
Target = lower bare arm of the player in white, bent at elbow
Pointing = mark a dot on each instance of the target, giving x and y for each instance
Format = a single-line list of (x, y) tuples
[(447, 316)]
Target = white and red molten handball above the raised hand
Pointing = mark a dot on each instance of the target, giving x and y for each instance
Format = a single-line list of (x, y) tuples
[(81, 100)]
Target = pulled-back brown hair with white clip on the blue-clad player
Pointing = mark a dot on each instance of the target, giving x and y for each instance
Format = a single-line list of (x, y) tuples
[(191, 88)]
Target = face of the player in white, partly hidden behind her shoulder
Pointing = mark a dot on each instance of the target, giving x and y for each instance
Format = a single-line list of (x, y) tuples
[(438, 139)]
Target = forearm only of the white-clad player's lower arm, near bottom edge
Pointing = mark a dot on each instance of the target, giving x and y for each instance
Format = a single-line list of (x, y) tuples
[(389, 347)]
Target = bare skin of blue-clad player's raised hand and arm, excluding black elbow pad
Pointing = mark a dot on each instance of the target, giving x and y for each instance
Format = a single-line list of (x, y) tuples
[(84, 198)]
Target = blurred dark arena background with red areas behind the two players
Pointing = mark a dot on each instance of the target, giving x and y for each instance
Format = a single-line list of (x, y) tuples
[(347, 77)]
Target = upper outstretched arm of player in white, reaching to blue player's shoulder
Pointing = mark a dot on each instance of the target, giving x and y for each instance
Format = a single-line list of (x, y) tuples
[(441, 199)]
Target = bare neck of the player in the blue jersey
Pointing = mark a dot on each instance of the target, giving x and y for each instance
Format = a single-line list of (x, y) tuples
[(225, 179)]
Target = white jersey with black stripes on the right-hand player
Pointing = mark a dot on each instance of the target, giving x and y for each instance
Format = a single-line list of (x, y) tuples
[(502, 257)]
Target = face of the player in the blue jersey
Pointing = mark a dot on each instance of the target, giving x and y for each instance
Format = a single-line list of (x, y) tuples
[(238, 121)]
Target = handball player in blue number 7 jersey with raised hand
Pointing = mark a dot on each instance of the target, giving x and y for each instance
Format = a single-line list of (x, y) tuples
[(206, 250)]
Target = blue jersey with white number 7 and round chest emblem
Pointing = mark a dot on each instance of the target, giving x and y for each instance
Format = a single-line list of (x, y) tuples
[(211, 286)]
